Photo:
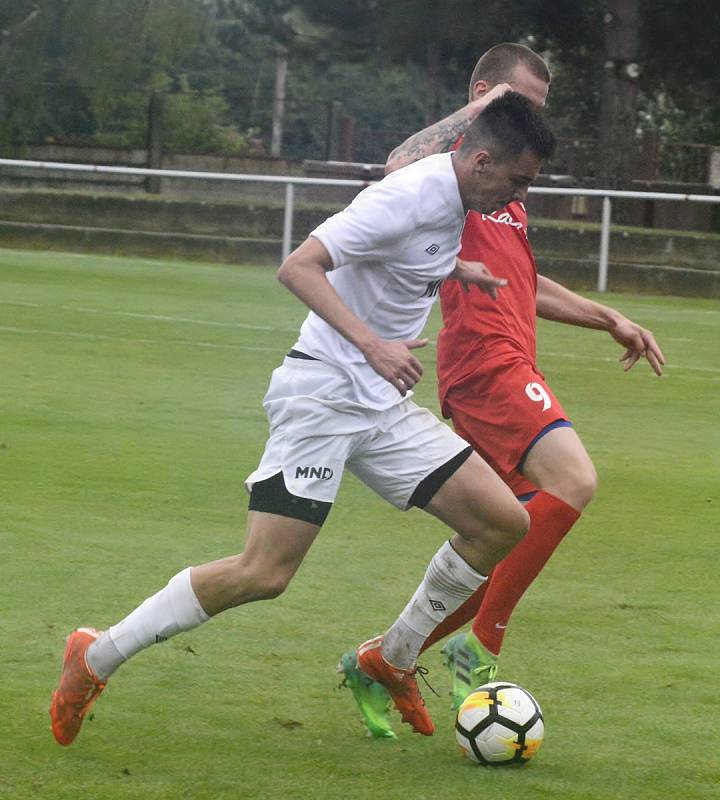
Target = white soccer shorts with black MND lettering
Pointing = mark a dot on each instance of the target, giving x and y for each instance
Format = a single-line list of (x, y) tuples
[(315, 432)]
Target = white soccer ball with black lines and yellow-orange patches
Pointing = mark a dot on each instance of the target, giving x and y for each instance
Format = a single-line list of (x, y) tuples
[(499, 723)]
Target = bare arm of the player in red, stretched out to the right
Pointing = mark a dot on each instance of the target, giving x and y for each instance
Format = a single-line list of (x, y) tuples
[(556, 303)]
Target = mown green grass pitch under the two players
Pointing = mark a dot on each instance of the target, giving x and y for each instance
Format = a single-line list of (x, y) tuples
[(131, 412)]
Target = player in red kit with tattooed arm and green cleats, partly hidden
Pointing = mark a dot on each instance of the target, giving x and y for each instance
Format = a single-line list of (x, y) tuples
[(498, 400)]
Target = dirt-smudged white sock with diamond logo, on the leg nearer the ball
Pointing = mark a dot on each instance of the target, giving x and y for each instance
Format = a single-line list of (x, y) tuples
[(448, 582)]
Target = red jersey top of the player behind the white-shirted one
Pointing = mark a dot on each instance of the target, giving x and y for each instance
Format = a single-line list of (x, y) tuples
[(476, 327)]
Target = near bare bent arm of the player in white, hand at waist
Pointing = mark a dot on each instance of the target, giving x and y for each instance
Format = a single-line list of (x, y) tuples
[(304, 273)]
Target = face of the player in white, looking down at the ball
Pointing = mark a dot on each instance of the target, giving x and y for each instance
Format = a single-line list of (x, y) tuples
[(493, 184)]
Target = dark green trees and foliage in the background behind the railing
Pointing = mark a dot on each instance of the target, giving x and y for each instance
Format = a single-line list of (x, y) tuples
[(84, 69)]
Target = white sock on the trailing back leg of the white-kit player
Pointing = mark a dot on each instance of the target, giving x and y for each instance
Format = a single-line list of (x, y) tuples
[(172, 610)]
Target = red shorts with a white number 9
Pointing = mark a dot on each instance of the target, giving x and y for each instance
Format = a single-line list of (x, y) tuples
[(499, 411)]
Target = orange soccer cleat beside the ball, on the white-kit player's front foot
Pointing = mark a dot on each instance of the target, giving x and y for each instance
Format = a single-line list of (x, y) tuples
[(400, 684)]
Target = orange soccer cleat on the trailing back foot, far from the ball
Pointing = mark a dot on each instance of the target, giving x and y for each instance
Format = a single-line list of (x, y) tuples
[(79, 687)]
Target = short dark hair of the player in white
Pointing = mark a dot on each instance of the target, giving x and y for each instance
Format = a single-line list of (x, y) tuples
[(506, 127)]
